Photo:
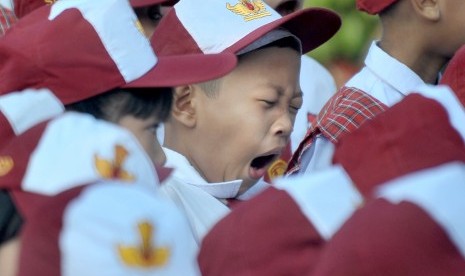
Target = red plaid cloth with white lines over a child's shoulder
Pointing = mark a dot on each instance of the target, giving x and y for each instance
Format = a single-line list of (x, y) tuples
[(342, 114)]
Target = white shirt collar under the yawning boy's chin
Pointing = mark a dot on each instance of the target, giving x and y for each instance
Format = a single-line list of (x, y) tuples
[(185, 172)]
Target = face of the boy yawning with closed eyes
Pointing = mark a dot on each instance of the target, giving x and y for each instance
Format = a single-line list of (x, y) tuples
[(251, 116)]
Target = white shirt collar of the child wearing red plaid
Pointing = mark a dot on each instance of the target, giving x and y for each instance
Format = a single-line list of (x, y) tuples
[(392, 71)]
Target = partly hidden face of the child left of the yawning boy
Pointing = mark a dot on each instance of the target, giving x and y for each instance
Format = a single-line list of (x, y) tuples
[(145, 130)]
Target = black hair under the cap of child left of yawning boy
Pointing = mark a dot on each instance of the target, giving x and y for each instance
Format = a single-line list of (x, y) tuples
[(139, 102)]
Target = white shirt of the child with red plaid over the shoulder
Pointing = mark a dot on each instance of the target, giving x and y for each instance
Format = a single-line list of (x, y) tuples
[(383, 77)]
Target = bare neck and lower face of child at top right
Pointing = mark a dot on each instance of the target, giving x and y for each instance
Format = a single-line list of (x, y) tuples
[(424, 34)]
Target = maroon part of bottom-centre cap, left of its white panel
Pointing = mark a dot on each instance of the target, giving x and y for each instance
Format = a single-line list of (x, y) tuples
[(267, 235)]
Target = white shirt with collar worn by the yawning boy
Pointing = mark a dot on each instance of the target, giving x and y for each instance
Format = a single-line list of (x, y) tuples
[(200, 200)]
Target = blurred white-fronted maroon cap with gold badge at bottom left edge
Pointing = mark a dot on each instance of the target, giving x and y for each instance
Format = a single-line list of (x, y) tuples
[(108, 228)]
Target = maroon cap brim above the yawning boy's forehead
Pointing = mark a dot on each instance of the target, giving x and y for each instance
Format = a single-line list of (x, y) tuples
[(313, 26)]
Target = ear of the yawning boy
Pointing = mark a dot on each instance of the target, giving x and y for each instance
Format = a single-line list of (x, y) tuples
[(183, 109)]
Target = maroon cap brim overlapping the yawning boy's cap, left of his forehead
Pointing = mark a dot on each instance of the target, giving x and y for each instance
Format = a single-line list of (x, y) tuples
[(186, 69)]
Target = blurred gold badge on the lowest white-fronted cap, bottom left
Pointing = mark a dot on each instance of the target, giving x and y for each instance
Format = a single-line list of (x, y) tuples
[(146, 254)]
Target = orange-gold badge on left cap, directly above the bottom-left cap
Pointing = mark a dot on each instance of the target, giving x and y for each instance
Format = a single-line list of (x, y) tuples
[(113, 169)]
